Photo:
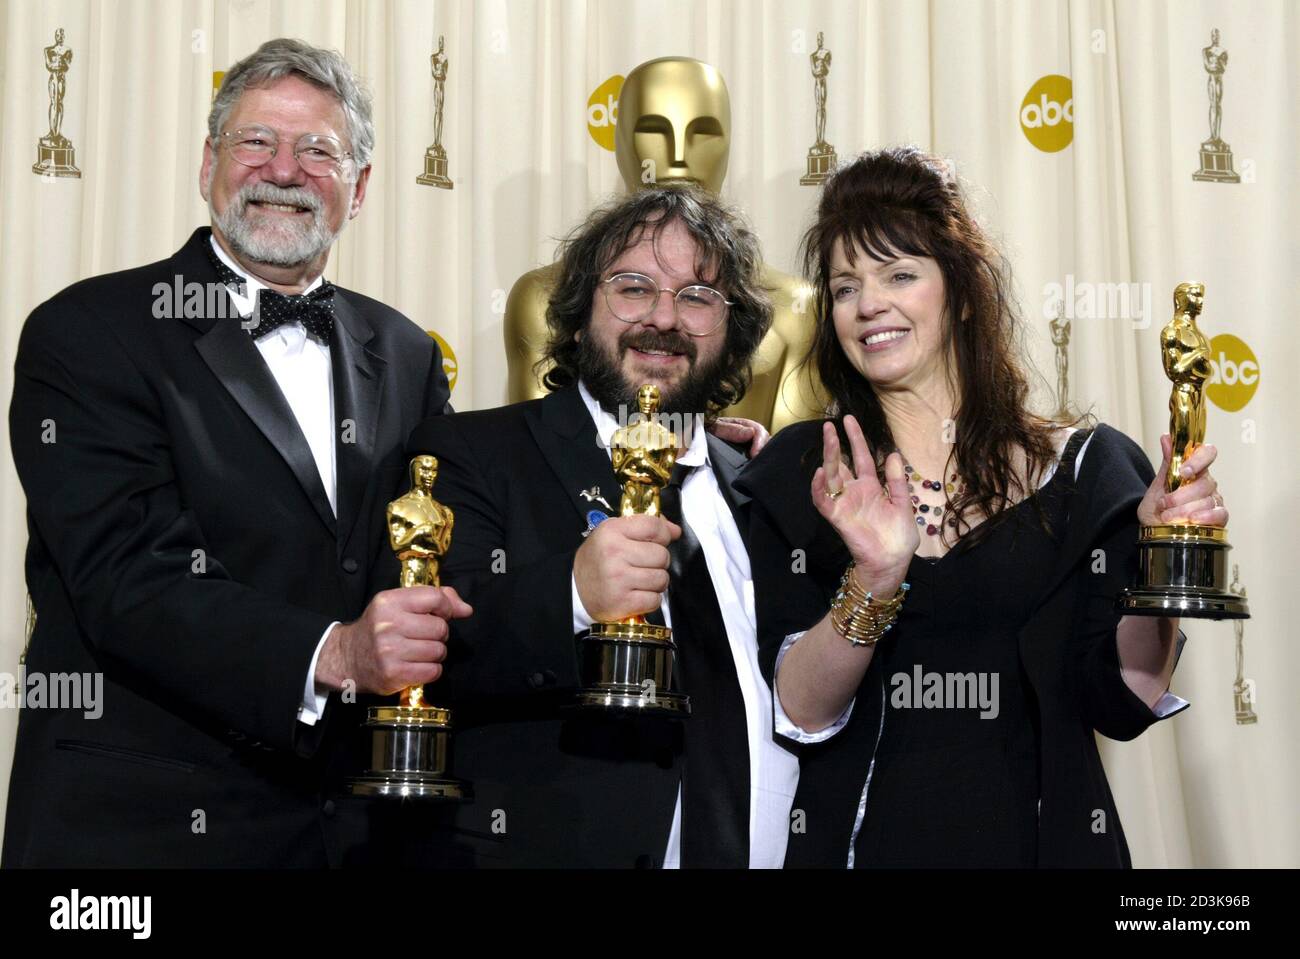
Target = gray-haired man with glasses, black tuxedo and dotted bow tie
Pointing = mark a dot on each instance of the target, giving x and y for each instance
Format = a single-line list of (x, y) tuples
[(206, 494)]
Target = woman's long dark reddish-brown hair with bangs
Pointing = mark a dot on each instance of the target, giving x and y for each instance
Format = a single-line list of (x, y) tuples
[(902, 202)]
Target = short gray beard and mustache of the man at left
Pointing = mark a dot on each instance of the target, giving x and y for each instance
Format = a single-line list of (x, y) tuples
[(261, 240)]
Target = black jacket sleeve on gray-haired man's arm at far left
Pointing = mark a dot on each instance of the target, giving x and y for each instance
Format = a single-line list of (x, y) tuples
[(93, 452)]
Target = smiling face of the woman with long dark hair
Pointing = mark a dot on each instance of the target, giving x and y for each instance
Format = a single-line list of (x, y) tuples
[(889, 316)]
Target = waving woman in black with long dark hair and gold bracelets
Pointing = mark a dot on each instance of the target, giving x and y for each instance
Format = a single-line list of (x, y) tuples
[(937, 610)]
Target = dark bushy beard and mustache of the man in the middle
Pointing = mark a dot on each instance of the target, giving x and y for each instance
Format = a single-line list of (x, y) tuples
[(603, 375)]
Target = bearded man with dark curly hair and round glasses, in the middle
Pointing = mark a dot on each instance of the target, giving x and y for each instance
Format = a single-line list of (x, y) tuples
[(658, 289)]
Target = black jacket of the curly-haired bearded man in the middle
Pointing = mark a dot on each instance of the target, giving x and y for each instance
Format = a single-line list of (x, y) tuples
[(552, 789)]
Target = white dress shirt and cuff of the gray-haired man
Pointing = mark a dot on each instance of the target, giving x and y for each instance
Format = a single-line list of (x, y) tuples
[(302, 368)]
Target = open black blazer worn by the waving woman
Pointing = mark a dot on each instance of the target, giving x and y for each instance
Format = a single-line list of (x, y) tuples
[(1068, 648)]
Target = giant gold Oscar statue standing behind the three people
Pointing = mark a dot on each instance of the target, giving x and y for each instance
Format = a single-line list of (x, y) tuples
[(675, 128)]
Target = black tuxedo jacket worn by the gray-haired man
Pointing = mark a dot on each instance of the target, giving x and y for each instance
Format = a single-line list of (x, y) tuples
[(181, 544)]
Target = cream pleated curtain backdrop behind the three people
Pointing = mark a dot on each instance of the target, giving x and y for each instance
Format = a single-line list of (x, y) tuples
[(1116, 206)]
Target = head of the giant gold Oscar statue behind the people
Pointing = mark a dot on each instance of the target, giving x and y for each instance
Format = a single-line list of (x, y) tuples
[(674, 125)]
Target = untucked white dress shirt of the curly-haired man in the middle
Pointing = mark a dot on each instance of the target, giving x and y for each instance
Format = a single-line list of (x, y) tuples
[(774, 773)]
